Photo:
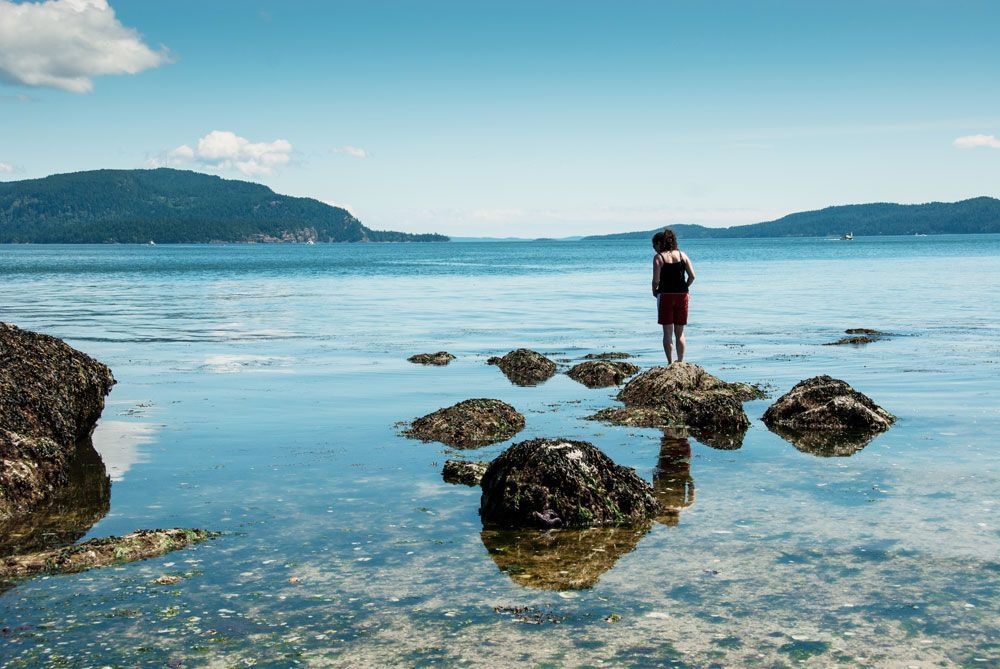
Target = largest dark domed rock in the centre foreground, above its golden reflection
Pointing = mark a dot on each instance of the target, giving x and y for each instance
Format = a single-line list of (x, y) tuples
[(534, 483)]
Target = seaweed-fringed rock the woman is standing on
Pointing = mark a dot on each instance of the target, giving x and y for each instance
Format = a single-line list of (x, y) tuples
[(684, 394)]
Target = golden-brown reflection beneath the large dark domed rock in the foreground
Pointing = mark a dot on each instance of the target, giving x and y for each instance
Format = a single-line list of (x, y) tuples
[(560, 559)]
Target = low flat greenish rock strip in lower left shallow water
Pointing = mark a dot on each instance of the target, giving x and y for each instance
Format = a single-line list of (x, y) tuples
[(139, 545)]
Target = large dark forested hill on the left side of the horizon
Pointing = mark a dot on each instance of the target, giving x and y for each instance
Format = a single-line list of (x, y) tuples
[(171, 206)]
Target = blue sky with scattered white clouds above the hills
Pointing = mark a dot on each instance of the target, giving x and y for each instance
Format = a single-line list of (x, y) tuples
[(543, 118)]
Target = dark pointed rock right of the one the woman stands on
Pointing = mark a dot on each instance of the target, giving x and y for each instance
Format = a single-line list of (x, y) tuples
[(827, 416)]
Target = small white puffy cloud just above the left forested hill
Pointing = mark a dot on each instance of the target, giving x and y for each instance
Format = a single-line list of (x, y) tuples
[(225, 151)]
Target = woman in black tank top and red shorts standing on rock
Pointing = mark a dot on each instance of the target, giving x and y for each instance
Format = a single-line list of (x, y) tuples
[(673, 274)]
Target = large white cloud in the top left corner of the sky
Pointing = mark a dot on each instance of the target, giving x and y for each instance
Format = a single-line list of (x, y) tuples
[(64, 43)]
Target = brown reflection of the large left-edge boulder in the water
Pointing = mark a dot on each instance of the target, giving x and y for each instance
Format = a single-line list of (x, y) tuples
[(69, 514)]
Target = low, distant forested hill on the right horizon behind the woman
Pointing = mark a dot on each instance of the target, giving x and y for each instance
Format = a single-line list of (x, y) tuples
[(978, 215)]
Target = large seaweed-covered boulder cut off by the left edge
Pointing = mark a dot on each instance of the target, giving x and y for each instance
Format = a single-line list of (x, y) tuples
[(51, 396)]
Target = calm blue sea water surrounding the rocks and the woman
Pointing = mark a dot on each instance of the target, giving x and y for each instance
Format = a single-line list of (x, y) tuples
[(259, 393)]
